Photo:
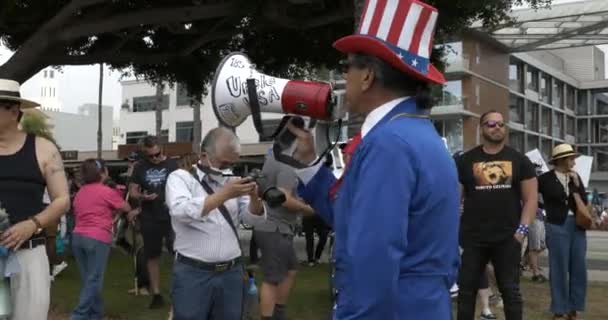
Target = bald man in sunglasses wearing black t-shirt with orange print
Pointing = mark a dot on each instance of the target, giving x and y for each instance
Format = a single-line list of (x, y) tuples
[(499, 189)]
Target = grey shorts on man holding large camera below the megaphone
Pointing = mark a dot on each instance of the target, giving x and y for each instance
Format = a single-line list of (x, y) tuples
[(278, 255)]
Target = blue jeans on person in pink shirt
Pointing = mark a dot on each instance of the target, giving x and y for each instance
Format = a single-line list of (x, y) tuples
[(92, 257)]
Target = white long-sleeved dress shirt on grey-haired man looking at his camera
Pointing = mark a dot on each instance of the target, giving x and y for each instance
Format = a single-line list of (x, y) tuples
[(206, 238)]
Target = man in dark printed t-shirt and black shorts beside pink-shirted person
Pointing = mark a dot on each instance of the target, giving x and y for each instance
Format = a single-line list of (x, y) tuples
[(148, 185)]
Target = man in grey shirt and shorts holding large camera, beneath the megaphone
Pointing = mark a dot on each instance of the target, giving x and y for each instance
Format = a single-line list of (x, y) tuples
[(275, 239)]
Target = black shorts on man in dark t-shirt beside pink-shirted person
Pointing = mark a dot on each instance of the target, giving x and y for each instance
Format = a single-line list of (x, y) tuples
[(153, 233)]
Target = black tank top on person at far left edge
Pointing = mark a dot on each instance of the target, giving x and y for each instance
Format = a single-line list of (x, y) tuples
[(21, 183)]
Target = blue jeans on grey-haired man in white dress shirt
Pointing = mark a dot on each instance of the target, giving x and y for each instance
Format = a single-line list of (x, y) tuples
[(199, 294)]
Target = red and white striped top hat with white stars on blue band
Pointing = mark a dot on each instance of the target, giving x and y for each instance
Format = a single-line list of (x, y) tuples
[(400, 32)]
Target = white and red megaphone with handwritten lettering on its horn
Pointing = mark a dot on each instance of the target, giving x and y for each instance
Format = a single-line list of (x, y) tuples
[(230, 94)]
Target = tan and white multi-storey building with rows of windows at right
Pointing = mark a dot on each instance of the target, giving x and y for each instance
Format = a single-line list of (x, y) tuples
[(548, 97)]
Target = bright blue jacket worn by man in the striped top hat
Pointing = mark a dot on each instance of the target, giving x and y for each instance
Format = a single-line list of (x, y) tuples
[(396, 219)]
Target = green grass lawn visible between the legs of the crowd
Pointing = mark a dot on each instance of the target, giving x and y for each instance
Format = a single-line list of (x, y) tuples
[(309, 301)]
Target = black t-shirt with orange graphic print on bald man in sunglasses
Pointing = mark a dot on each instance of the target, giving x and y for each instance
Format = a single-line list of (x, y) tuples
[(492, 194)]
